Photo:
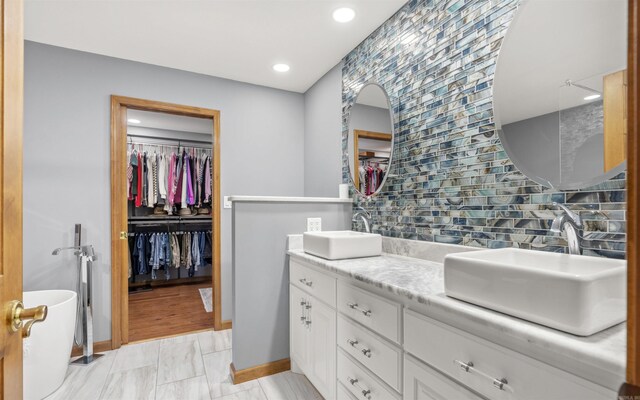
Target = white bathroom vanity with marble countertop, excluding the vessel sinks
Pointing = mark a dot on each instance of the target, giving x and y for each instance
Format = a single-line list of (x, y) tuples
[(382, 328)]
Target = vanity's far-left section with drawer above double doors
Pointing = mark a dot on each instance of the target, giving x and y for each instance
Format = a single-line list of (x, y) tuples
[(313, 326)]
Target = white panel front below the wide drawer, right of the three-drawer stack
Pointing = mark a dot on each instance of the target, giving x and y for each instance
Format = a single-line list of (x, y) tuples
[(424, 383)]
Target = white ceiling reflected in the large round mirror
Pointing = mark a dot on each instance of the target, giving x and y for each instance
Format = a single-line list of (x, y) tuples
[(551, 41)]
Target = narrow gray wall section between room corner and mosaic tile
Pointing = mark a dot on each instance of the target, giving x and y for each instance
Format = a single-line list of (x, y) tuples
[(323, 135)]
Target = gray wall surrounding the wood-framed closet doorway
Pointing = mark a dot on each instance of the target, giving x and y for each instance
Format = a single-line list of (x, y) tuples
[(66, 160)]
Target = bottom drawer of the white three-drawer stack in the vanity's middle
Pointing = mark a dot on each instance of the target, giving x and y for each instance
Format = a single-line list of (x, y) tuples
[(363, 385)]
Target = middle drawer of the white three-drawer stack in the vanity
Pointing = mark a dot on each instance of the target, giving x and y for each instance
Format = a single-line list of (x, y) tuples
[(381, 357)]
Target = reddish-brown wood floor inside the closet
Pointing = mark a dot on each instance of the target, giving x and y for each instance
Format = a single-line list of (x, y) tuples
[(167, 311)]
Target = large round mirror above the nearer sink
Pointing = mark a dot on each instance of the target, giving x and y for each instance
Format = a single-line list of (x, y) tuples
[(560, 91)]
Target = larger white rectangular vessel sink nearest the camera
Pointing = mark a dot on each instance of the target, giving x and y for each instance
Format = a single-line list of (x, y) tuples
[(577, 294)]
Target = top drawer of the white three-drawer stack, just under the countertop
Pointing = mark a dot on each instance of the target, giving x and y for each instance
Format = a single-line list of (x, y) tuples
[(375, 312)]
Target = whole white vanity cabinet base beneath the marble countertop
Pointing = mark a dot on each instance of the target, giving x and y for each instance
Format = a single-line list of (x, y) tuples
[(355, 343)]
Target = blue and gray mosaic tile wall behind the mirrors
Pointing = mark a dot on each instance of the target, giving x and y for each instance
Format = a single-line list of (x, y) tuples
[(450, 179)]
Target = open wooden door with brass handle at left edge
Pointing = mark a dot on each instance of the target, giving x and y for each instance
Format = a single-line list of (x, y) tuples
[(11, 56)]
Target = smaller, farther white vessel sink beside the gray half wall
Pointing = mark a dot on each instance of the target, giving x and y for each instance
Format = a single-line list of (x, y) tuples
[(338, 245)]
